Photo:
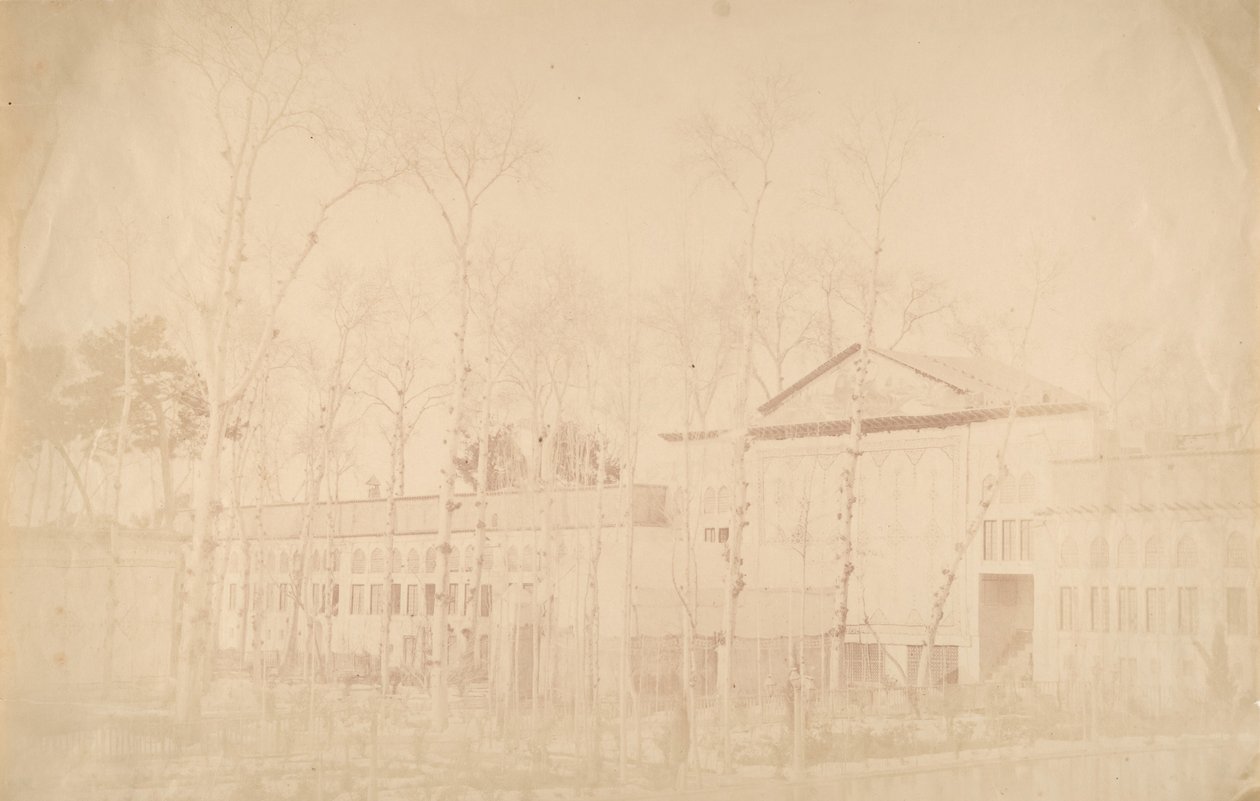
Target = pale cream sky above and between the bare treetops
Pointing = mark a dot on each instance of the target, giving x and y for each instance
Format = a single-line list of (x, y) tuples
[(1121, 137)]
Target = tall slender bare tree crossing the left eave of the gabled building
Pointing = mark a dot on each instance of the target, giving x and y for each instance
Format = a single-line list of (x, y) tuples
[(739, 156)]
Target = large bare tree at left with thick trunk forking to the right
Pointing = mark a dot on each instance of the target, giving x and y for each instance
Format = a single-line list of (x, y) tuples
[(256, 62)]
